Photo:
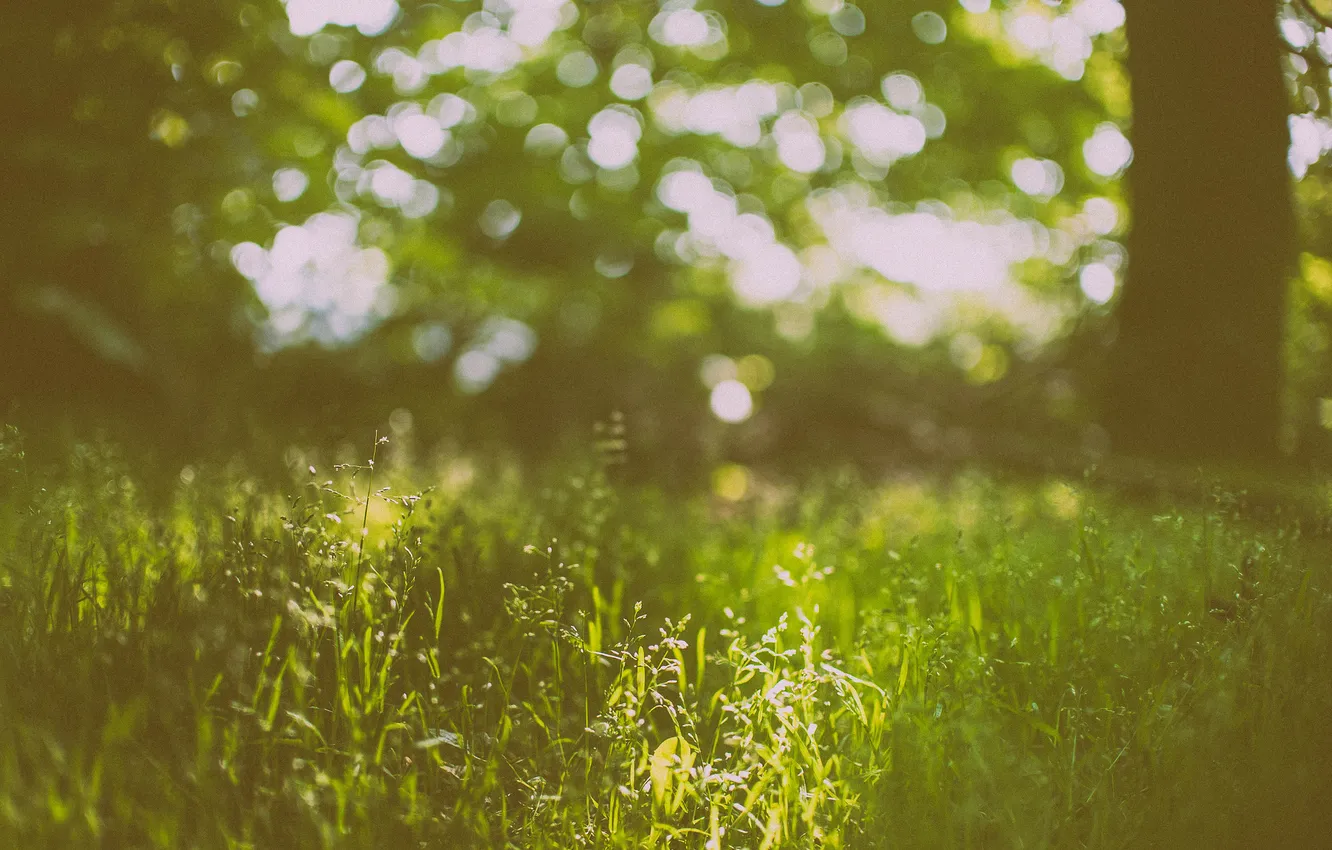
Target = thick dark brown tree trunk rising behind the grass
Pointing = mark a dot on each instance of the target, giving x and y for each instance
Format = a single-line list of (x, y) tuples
[(1197, 367)]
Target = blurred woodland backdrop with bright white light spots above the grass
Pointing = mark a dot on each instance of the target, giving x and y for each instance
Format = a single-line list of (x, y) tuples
[(783, 231)]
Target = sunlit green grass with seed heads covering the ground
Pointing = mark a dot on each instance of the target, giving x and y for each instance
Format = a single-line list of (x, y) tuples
[(561, 661)]
